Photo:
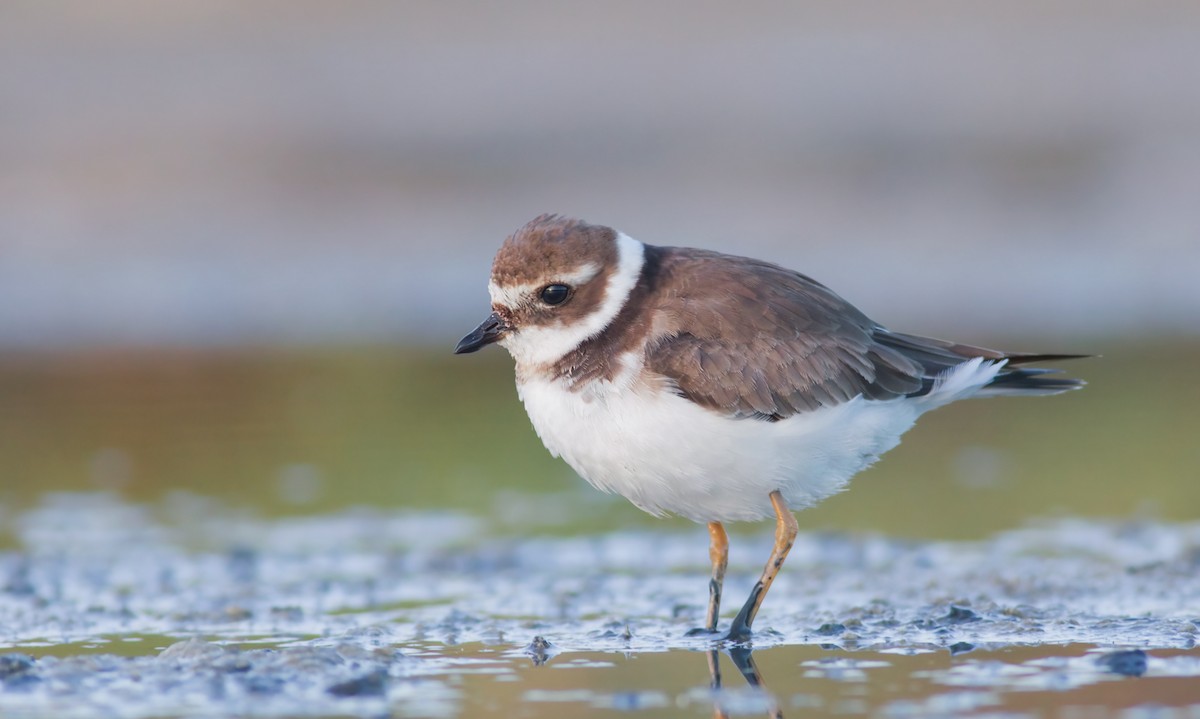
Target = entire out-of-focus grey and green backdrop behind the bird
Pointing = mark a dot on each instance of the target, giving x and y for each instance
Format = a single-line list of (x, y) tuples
[(239, 241)]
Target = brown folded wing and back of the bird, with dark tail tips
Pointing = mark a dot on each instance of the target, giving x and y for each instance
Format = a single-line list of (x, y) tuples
[(754, 340)]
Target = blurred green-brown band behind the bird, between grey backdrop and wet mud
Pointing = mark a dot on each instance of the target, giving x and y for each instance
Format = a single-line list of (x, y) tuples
[(293, 430)]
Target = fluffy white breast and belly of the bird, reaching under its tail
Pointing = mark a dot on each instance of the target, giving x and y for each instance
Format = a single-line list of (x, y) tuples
[(670, 456)]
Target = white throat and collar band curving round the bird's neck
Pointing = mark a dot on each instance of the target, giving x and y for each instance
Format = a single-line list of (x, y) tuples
[(538, 346)]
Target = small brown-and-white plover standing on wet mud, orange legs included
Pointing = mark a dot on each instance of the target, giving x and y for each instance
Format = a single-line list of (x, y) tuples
[(715, 387)]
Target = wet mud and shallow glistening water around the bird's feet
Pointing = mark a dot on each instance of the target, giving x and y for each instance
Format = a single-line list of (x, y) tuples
[(191, 609)]
